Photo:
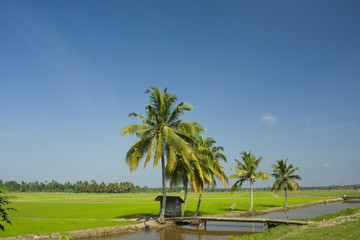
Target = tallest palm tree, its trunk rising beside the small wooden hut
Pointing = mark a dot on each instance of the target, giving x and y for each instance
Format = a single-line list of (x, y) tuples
[(162, 134)]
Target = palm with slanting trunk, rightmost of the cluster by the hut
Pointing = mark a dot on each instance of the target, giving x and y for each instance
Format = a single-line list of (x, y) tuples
[(209, 157)]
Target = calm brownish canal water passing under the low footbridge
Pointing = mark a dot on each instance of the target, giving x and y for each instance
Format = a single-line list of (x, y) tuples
[(222, 230)]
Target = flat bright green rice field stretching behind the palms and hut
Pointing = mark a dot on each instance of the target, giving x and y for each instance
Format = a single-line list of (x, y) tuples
[(42, 213)]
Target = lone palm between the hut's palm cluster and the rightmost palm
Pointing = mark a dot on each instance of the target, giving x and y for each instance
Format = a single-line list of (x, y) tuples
[(247, 171)]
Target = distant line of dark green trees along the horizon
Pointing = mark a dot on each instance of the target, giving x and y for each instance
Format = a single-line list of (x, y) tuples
[(126, 187)]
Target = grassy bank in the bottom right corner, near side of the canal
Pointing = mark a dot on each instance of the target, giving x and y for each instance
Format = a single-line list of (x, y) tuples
[(331, 230)]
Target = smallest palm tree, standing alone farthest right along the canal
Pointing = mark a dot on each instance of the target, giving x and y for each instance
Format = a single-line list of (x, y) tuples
[(284, 177)]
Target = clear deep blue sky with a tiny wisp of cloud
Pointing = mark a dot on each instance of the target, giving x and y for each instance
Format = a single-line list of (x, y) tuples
[(279, 78)]
